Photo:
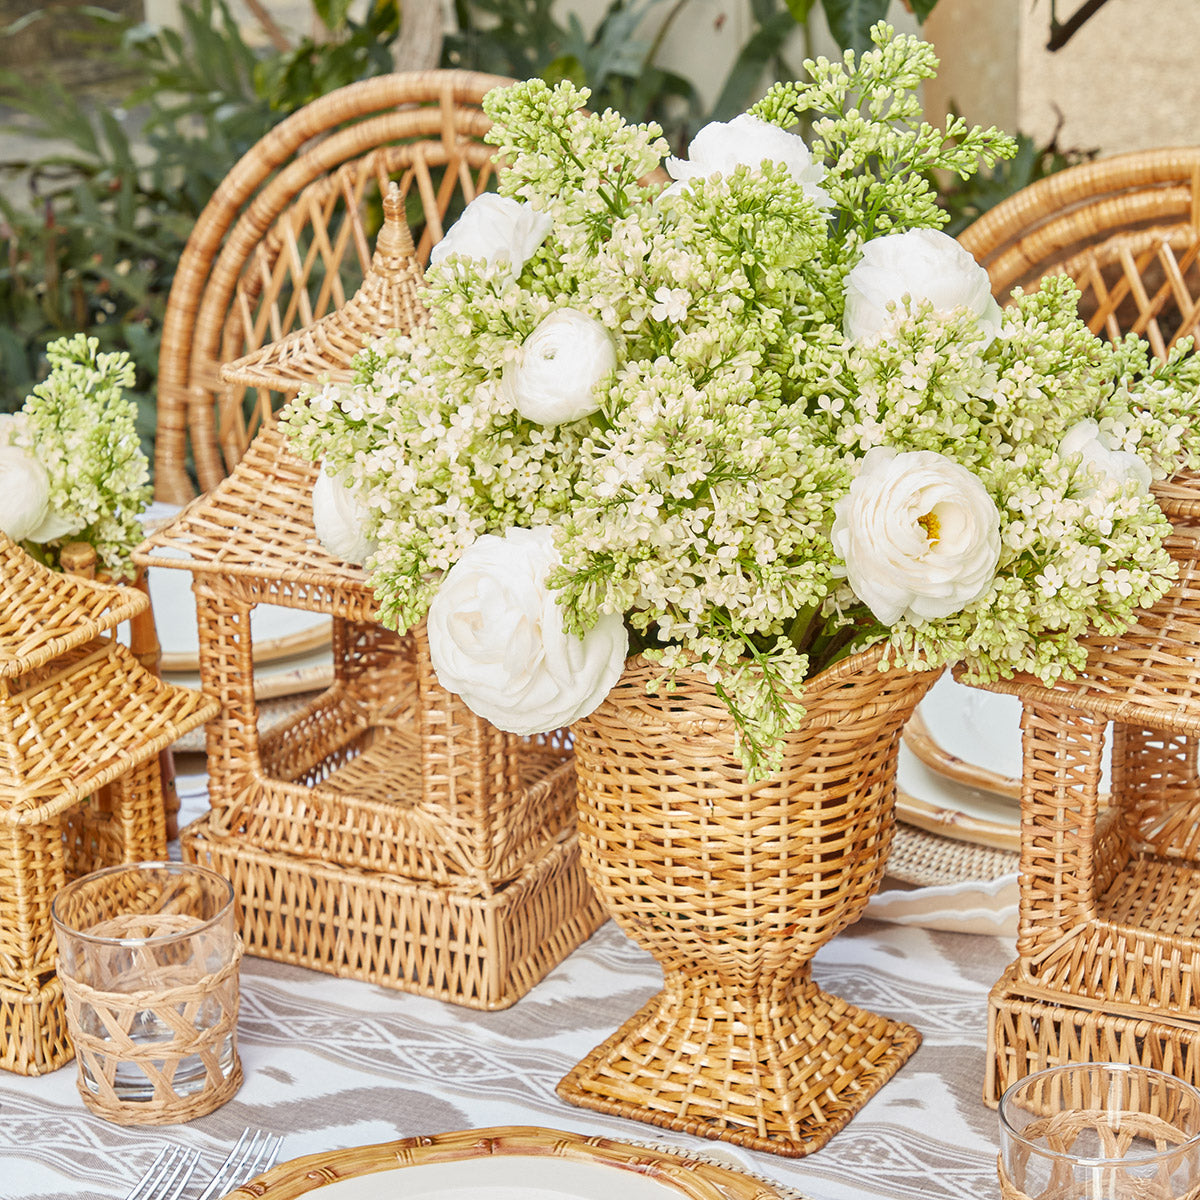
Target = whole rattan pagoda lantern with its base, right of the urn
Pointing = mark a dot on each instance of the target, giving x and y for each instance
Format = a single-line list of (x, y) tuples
[(1108, 946)]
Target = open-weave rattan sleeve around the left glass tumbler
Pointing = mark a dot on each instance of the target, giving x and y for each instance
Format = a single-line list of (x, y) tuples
[(202, 1017)]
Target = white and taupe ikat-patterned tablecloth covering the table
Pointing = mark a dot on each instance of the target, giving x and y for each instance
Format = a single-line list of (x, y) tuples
[(334, 1063)]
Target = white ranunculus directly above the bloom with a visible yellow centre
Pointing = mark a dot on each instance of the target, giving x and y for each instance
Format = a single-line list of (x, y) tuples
[(921, 265)]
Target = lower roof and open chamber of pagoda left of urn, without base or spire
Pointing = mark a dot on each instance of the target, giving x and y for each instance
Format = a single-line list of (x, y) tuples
[(385, 771)]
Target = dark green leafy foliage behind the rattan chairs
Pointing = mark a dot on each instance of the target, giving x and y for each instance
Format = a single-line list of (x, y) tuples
[(91, 239)]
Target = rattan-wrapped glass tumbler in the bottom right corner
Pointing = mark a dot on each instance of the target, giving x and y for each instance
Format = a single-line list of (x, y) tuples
[(1100, 1132)]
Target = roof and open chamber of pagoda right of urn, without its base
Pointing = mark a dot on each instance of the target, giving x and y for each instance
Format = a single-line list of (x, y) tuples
[(1108, 910)]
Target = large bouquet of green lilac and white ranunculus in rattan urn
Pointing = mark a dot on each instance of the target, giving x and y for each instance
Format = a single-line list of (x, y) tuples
[(743, 421)]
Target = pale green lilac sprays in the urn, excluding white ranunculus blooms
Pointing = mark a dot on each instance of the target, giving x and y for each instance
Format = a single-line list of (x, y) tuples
[(698, 500)]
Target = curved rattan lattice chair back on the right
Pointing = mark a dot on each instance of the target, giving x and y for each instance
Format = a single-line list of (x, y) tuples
[(1126, 230)]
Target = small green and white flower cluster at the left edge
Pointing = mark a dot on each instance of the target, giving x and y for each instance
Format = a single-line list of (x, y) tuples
[(71, 465)]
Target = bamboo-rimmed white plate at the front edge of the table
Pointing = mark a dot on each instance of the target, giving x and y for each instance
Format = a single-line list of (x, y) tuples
[(511, 1163)]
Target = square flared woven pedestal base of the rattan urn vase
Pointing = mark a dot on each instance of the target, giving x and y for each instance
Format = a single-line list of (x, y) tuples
[(802, 1064)]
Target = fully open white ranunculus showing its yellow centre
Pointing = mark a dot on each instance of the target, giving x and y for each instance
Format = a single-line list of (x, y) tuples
[(919, 533)]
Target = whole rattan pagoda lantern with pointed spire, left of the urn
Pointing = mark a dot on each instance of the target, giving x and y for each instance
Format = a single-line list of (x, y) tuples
[(385, 832)]
